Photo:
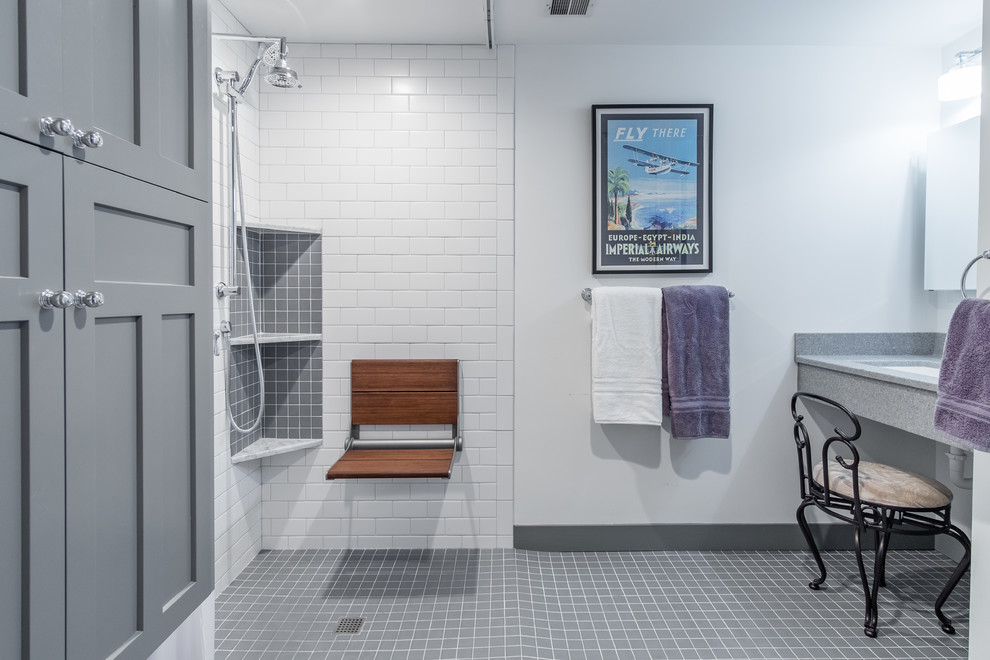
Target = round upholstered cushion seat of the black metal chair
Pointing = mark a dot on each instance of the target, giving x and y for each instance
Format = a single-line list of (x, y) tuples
[(884, 485)]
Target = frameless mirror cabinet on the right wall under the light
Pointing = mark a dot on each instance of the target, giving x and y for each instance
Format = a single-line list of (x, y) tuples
[(951, 204)]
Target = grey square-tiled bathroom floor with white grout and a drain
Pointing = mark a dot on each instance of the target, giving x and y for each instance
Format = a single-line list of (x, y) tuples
[(490, 604)]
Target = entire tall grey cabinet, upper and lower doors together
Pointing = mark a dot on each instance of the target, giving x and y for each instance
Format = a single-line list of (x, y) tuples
[(106, 491)]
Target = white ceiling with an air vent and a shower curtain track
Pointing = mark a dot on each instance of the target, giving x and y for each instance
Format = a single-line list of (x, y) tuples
[(678, 22)]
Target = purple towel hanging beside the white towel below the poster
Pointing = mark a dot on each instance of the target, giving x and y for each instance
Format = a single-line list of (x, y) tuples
[(696, 361)]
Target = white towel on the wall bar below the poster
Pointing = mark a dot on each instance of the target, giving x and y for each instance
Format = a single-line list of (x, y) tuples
[(626, 343)]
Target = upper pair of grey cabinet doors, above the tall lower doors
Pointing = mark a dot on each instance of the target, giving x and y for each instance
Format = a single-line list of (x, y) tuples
[(131, 70)]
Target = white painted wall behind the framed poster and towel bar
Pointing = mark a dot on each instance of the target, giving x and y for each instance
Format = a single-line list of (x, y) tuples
[(818, 208)]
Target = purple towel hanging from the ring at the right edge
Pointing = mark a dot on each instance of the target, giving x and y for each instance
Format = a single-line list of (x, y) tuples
[(962, 410)]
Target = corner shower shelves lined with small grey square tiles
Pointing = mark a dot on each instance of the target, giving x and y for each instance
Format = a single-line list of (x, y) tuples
[(286, 277)]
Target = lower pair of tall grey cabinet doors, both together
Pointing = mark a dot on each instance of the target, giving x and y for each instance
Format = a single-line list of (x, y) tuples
[(105, 412)]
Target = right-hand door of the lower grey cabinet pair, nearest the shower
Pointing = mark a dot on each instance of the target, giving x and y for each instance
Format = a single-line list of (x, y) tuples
[(144, 359)]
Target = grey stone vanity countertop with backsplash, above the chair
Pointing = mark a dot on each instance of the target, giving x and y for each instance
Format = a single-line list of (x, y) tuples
[(891, 378)]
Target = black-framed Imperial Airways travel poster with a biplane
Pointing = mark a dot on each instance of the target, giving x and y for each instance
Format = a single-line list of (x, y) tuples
[(652, 188)]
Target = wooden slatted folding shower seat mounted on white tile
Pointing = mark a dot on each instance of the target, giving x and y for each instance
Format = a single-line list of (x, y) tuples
[(400, 392)]
